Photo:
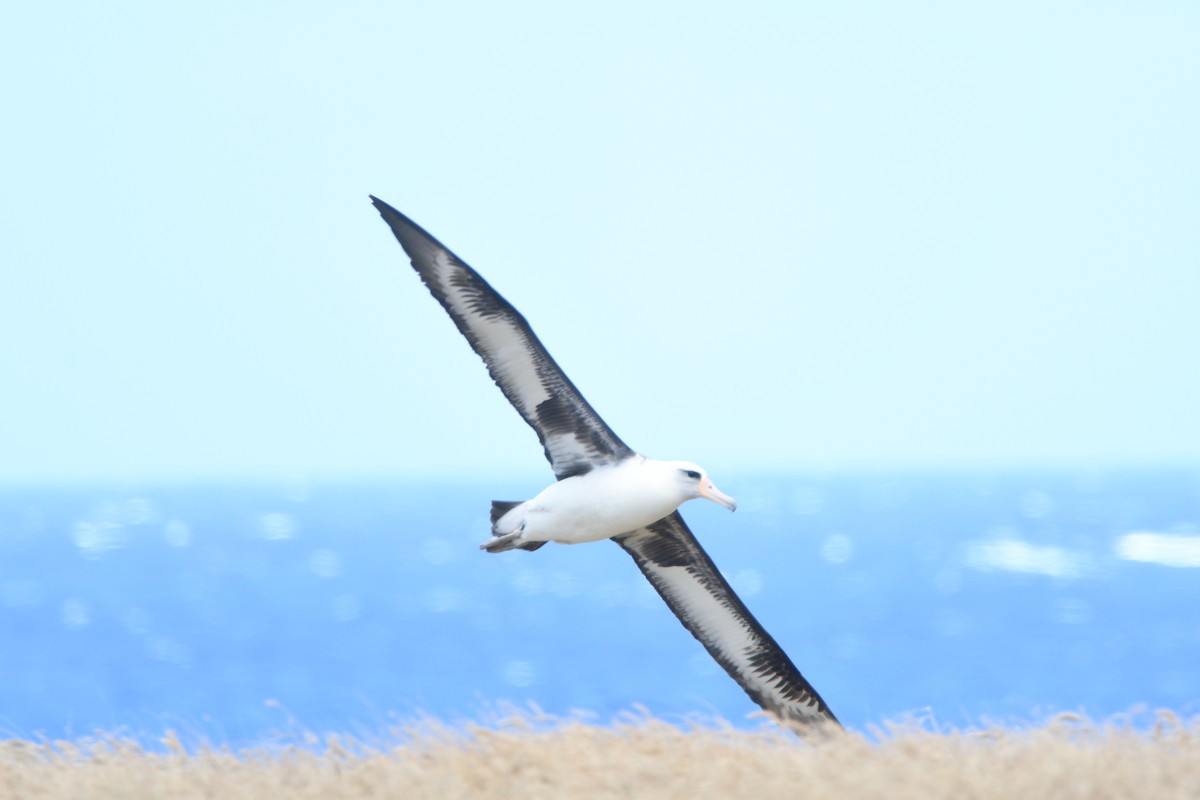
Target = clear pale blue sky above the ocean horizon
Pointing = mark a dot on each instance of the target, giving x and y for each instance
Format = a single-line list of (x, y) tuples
[(757, 236)]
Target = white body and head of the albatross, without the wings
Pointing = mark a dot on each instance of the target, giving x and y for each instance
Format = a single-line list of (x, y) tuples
[(607, 502)]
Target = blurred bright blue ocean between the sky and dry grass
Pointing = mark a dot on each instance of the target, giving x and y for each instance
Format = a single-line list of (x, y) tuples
[(237, 612)]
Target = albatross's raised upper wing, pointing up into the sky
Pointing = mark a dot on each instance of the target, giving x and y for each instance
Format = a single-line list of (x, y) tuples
[(573, 435)]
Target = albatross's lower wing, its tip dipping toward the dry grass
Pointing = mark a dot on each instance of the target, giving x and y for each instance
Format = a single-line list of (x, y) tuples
[(682, 573)]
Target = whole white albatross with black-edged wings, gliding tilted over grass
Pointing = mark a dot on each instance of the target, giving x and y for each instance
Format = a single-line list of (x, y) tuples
[(605, 490)]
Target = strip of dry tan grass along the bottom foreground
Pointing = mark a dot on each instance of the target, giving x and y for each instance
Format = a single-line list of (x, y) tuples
[(532, 756)]
